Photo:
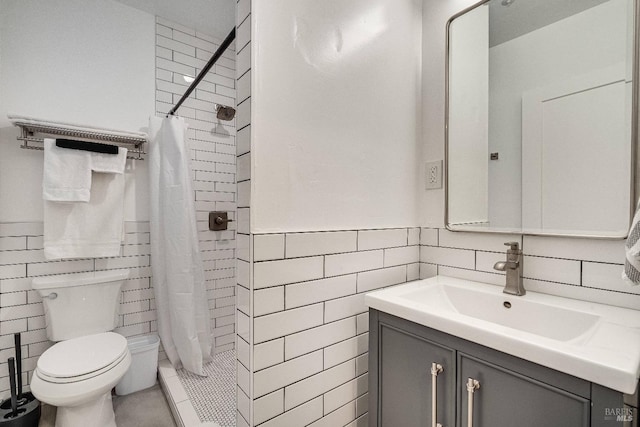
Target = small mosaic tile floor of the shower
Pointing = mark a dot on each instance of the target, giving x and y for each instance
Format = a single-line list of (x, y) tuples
[(214, 397)]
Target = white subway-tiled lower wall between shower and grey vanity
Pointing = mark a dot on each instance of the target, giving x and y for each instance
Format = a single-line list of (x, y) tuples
[(310, 323)]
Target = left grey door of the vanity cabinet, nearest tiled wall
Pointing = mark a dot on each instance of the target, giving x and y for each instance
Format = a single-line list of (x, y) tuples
[(405, 380)]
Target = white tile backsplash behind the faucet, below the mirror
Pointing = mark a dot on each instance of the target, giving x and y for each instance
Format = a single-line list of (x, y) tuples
[(575, 268)]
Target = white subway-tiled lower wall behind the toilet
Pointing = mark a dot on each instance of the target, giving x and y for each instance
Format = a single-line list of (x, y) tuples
[(21, 310)]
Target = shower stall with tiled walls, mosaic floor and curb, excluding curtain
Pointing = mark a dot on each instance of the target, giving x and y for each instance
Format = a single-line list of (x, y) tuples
[(206, 106)]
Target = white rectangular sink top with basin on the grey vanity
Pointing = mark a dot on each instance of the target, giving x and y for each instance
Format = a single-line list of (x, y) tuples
[(595, 342)]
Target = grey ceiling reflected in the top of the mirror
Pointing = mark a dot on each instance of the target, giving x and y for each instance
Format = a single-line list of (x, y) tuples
[(524, 16)]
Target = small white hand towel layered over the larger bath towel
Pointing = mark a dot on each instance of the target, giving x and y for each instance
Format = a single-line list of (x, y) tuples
[(66, 174)]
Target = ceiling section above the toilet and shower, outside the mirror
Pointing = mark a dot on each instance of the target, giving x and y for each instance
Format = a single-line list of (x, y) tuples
[(213, 17)]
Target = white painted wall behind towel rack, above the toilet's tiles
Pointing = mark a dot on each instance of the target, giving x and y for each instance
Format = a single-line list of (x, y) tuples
[(87, 62)]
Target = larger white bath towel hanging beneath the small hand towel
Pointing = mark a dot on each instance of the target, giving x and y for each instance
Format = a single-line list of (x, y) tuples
[(87, 230)]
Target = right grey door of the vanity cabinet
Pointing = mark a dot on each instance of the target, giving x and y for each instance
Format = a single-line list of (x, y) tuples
[(508, 399)]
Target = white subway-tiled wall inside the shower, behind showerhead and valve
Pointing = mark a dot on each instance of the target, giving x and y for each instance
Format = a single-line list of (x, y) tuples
[(182, 52)]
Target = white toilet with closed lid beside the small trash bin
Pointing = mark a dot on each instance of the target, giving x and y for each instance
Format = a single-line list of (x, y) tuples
[(78, 372)]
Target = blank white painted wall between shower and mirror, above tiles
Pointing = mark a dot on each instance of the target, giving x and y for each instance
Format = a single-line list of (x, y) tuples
[(335, 102)]
